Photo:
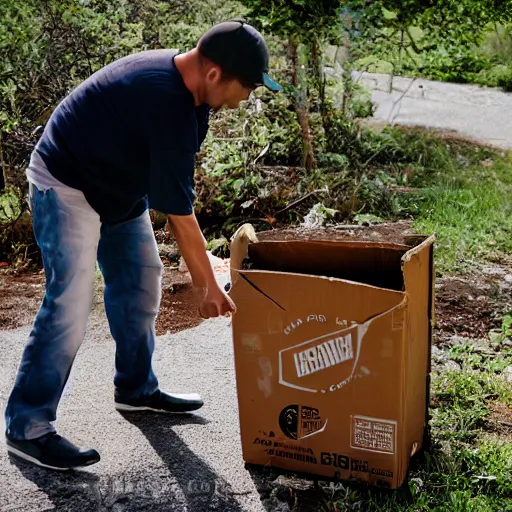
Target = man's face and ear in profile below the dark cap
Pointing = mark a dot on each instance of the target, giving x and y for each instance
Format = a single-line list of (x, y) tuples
[(219, 91)]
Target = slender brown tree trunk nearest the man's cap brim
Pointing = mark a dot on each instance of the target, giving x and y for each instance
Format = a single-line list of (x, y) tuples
[(301, 106)]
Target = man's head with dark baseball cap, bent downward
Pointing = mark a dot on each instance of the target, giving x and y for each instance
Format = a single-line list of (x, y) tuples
[(232, 60)]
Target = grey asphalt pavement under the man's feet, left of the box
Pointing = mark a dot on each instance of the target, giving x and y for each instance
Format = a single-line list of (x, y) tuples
[(149, 461)]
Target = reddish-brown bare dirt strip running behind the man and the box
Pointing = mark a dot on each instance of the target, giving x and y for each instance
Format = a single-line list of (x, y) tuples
[(467, 305)]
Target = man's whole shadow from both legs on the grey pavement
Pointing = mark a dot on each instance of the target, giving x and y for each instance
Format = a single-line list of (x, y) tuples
[(82, 491)]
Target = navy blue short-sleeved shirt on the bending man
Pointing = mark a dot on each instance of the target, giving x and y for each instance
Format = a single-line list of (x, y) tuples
[(127, 138)]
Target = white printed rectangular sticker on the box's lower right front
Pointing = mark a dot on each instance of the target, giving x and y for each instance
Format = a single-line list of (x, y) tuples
[(373, 434)]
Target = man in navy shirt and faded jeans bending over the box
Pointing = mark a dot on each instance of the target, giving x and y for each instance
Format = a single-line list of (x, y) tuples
[(122, 142)]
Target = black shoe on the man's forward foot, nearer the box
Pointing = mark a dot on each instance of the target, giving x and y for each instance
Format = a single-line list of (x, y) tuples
[(161, 402)]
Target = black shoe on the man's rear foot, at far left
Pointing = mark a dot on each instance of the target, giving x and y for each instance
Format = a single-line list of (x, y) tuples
[(52, 451)]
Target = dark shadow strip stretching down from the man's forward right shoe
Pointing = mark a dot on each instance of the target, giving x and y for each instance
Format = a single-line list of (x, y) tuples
[(201, 487)]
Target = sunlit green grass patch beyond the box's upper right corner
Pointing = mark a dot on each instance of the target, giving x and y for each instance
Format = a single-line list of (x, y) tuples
[(471, 213)]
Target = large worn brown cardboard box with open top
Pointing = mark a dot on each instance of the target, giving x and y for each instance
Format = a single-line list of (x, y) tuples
[(332, 354)]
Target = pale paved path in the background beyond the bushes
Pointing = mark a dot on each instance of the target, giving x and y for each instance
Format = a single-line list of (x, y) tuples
[(482, 114)]
